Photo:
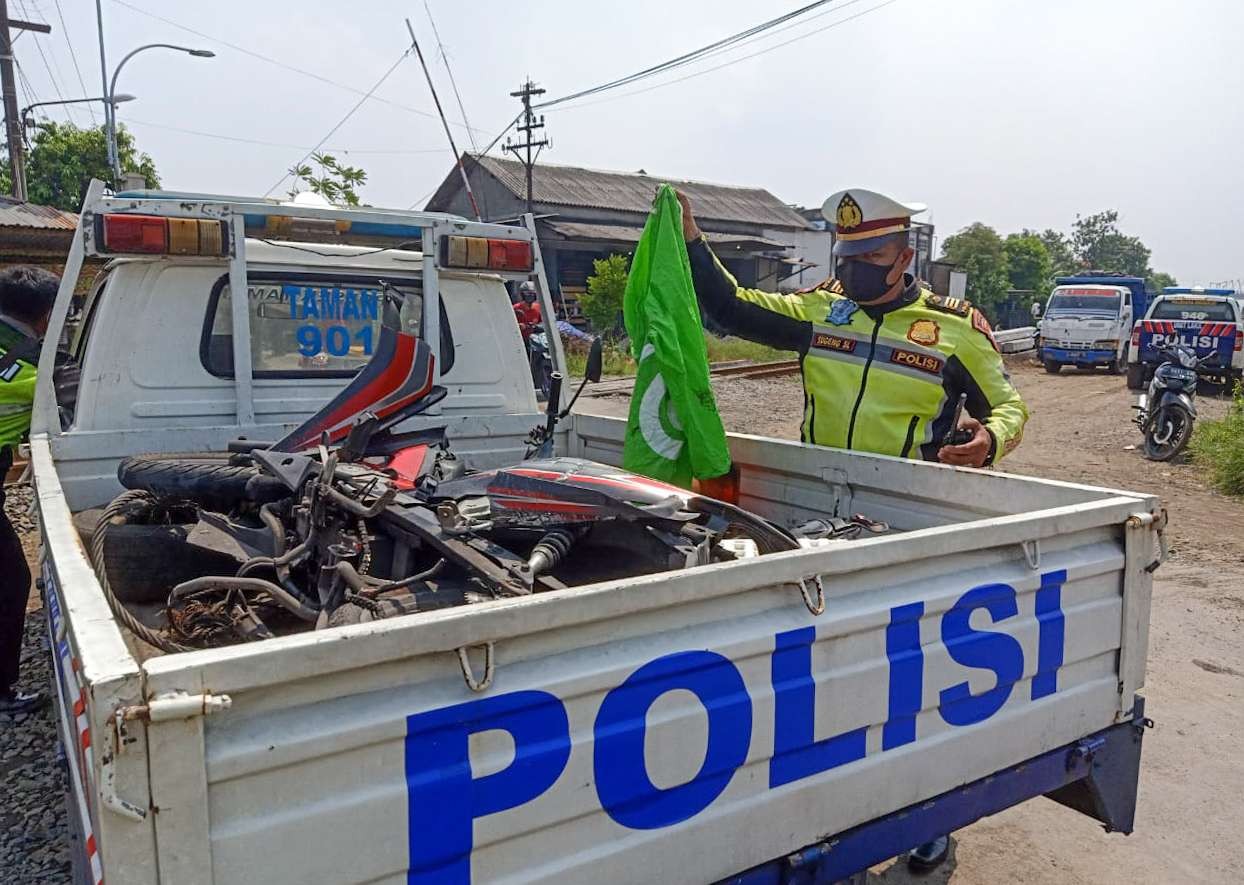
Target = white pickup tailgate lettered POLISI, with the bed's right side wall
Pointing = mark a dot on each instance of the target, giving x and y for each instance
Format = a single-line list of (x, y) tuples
[(692, 724)]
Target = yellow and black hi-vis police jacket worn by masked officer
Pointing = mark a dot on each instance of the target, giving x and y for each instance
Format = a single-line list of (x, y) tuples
[(884, 382)]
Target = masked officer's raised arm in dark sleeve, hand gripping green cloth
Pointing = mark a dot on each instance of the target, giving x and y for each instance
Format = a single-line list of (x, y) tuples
[(761, 317)]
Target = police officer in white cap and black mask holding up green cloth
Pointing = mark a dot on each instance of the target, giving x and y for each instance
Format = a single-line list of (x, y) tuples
[(885, 362)]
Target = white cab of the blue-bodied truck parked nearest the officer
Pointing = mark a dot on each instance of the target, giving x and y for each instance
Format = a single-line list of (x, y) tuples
[(1087, 325)]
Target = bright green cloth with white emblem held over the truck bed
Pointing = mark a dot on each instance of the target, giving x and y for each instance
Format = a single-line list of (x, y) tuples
[(675, 433)]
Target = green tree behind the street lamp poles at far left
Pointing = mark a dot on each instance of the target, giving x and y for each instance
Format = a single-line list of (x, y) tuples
[(64, 160)]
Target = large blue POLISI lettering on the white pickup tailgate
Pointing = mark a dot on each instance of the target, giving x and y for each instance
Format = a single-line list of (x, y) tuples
[(446, 797)]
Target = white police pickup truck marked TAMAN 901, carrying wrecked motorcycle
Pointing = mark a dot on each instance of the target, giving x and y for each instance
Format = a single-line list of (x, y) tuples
[(793, 718)]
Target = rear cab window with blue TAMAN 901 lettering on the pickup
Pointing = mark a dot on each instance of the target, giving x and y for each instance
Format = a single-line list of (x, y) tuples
[(303, 325)]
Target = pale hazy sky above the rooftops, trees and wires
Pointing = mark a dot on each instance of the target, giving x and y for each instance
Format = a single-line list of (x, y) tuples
[(1019, 115)]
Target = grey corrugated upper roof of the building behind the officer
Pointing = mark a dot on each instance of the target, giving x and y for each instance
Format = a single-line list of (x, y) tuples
[(634, 192)]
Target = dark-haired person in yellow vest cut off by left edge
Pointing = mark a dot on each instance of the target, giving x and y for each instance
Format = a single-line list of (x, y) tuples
[(27, 299)]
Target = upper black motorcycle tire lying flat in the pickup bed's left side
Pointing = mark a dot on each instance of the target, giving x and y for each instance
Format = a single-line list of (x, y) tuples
[(200, 477)]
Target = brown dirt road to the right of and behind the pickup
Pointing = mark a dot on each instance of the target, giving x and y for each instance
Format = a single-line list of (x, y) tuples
[(1192, 784)]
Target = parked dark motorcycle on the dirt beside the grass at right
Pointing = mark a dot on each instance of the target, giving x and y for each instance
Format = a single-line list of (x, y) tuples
[(1167, 410)]
